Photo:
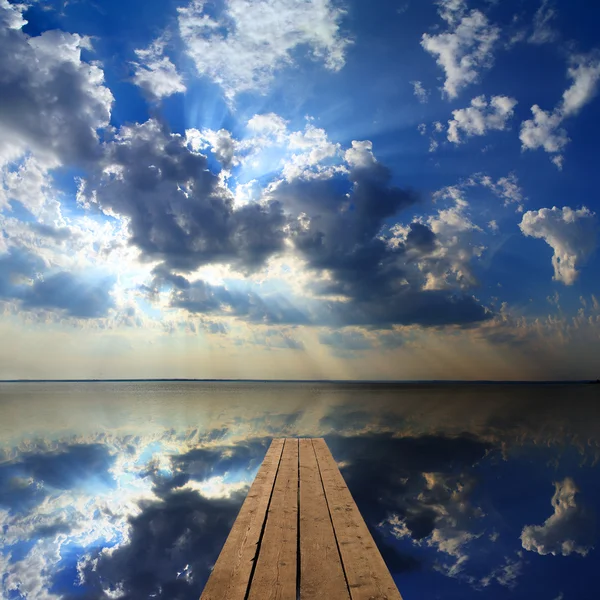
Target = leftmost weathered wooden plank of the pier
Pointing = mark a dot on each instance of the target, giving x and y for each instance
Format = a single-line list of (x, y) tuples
[(230, 577)]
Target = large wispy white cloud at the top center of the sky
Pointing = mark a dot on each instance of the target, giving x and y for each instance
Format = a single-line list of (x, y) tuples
[(242, 48)]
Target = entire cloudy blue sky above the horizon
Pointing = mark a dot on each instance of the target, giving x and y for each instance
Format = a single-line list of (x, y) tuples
[(326, 189)]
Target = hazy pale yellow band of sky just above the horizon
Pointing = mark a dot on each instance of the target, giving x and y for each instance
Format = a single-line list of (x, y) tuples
[(66, 352)]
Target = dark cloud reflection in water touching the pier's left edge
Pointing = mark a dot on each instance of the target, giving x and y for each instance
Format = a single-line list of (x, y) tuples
[(173, 544)]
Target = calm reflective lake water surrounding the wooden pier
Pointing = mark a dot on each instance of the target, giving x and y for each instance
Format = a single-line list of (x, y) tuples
[(128, 490)]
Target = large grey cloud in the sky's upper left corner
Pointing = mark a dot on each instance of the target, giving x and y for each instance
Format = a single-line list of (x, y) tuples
[(50, 101)]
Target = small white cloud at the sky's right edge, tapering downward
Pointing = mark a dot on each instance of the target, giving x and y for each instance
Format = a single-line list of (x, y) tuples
[(570, 233)]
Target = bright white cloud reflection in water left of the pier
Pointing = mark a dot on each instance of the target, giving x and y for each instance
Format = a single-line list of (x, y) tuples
[(87, 516)]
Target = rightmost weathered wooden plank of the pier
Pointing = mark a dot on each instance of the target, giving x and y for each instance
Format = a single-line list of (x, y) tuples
[(366, 572)]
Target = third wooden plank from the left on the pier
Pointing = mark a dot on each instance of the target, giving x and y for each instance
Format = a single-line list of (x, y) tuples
[(321, 573)]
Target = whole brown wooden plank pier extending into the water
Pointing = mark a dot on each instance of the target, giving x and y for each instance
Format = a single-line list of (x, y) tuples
[(299, 534)]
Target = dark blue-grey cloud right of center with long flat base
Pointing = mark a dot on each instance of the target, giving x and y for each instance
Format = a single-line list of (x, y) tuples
[(338, 231)]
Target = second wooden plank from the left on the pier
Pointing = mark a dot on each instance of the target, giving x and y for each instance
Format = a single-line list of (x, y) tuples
[(276, 568)]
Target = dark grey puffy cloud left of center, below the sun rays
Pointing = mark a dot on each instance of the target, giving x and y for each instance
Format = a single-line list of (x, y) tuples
[(179, 211)]
